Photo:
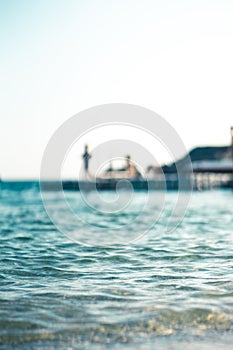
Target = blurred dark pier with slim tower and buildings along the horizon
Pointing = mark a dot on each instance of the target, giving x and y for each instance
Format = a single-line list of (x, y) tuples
[(211, 167)]
